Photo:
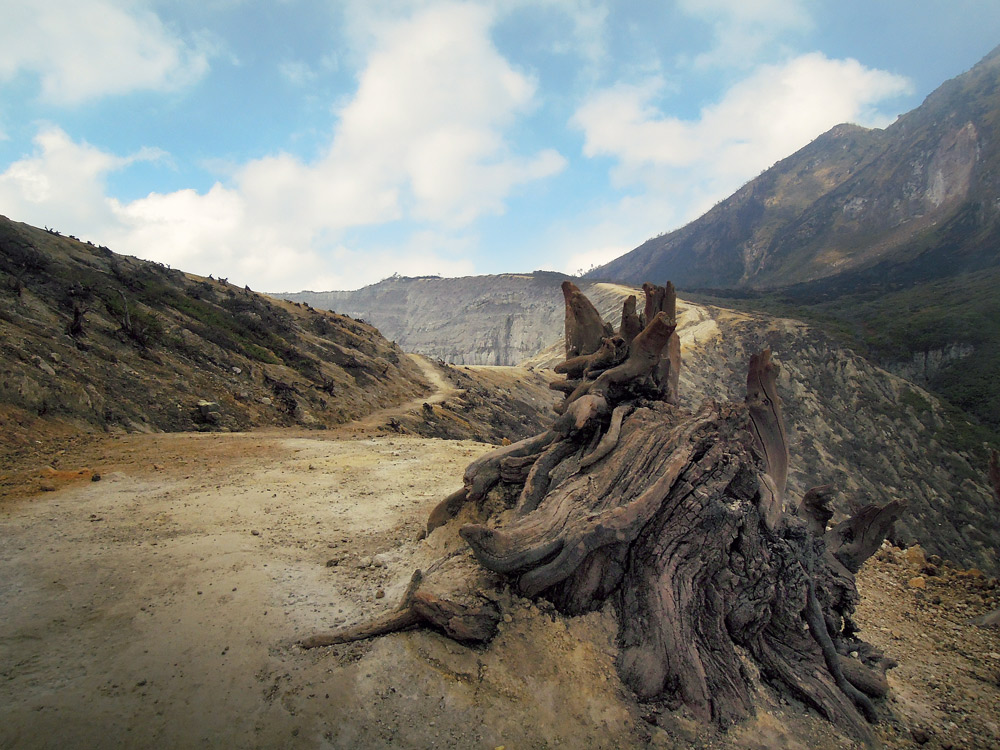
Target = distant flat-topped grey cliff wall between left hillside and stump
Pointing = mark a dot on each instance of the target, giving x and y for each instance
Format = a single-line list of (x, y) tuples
[(474, 320)]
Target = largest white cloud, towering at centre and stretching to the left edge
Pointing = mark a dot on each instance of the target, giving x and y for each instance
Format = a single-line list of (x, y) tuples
[(422, 139)]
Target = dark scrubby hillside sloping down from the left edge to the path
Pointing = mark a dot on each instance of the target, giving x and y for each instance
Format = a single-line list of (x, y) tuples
[(104, 341)]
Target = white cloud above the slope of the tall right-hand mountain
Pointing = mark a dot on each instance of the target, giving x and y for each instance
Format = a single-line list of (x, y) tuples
[(765, 117)]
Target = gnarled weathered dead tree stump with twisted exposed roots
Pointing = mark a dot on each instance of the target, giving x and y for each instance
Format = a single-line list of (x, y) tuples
[(678, 519)]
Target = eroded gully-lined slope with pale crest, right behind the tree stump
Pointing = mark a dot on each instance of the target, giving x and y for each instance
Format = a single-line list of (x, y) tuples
[(871, 434)]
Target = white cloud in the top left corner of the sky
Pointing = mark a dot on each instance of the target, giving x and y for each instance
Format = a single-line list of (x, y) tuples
[(84, 49)]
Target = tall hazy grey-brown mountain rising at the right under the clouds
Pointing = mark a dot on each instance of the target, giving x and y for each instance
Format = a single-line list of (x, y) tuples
[(915, 201)]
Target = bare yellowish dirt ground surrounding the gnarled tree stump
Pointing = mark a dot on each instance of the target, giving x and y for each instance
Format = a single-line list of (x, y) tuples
[(160, 605)]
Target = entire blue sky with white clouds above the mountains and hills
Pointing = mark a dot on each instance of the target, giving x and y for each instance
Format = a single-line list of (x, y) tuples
[(310, 144)]
